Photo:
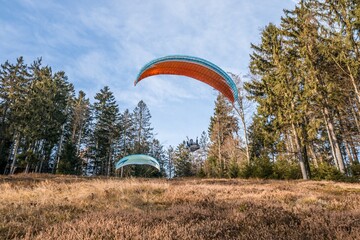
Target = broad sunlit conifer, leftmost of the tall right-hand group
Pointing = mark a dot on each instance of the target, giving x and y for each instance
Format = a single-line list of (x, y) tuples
[(280, 90)]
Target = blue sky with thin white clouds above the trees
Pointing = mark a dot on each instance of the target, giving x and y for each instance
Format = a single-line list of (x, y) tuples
[(106, 43)]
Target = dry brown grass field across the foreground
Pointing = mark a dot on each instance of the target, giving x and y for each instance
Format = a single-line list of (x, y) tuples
[(53, 207)]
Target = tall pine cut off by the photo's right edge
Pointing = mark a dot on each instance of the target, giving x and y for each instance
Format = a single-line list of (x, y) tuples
[(339, 22)]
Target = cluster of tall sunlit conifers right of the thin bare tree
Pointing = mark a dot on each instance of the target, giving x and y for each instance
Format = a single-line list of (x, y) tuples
[(306, 75)]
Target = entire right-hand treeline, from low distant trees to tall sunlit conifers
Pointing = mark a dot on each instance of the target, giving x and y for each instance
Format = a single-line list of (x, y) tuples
[(305, 79)]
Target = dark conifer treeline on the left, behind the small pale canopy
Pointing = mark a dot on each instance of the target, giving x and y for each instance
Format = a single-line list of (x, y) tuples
[(46, 127)]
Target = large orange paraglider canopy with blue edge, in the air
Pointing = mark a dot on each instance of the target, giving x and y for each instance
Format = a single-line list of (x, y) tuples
[(193, 67)]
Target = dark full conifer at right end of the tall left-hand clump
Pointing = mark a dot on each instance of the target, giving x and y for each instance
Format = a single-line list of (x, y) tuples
[(47, 110)]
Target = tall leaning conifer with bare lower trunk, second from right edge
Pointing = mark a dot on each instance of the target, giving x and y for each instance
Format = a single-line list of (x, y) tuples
[(325, 92)]
